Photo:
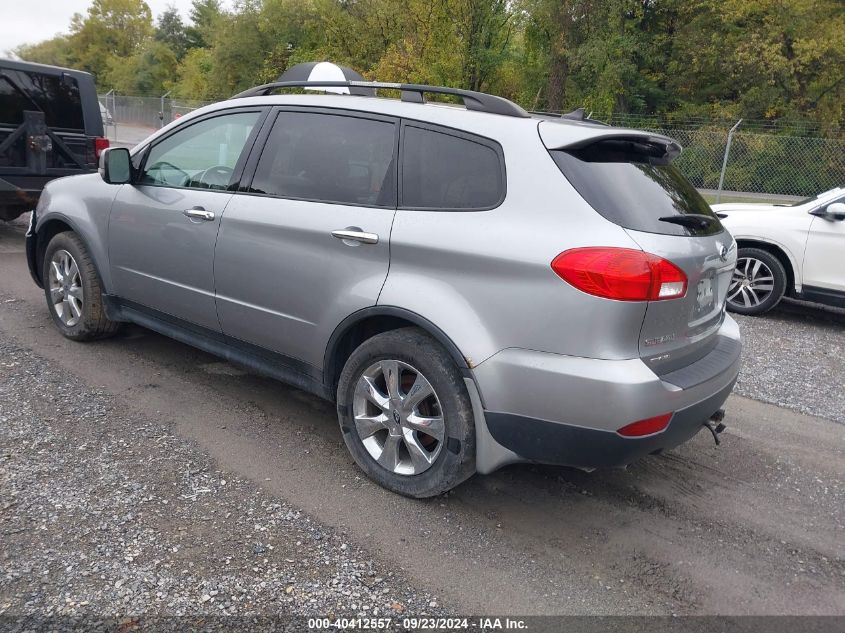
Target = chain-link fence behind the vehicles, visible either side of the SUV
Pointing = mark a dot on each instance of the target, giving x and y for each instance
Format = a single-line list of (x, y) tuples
[(764, 159)]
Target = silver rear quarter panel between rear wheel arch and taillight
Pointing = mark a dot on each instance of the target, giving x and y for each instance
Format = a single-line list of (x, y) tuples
[(485, 277)]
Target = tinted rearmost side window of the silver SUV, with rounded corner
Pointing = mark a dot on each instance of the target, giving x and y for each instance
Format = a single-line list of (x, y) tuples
[(442, 171)]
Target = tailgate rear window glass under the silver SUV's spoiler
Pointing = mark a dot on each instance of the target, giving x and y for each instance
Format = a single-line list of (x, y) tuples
[(632, 186)]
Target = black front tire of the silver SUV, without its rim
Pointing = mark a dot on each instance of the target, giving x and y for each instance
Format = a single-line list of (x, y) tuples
[(92, 323)]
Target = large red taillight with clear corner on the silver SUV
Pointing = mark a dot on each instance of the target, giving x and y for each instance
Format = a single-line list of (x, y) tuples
[(623, 274)]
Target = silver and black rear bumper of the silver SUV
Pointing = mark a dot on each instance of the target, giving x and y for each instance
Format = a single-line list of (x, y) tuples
[(563, 410)]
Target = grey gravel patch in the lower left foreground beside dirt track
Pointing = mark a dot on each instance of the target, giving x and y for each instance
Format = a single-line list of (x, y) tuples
[(105, 513)]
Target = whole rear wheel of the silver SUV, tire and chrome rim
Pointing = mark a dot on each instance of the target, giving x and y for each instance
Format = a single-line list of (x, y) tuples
[(405, 414)]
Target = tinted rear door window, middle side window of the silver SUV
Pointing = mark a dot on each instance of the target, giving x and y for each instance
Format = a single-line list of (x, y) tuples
[(327, 157)]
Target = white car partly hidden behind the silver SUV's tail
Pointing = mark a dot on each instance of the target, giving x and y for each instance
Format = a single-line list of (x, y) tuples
[(793, 249)]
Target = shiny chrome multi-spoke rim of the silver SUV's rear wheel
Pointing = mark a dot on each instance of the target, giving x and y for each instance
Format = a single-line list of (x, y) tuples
[(398, 417)]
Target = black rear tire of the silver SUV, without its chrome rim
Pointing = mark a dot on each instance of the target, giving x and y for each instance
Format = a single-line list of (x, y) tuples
[(456, 459)]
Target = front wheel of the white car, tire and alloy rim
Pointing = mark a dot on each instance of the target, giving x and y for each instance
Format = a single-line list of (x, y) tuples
[(758, 283)]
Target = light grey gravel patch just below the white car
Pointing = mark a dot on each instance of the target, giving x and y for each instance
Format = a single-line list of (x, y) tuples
[(794, 357)]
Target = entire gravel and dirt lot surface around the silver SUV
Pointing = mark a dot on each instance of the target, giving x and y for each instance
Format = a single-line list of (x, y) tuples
[(106, 449)]
